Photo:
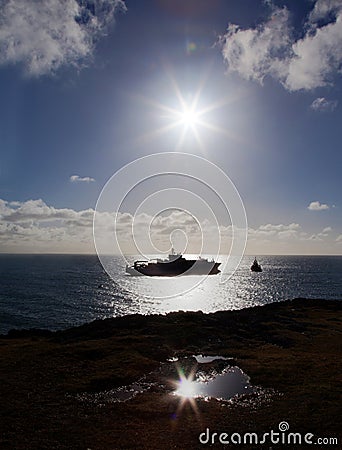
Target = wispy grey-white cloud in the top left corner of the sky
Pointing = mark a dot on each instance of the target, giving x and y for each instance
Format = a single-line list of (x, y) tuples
[(44, 35)]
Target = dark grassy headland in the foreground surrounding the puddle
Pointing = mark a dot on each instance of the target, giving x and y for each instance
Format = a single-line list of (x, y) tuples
[(291, 347)]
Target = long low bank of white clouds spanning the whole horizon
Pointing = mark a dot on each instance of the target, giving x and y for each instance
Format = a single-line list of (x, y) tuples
[(34, 226)]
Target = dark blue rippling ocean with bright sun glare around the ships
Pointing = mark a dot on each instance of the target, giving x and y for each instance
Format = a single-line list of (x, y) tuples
[(59, 291)]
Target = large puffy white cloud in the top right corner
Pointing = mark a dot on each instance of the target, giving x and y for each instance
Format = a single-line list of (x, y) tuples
[(271, 50)]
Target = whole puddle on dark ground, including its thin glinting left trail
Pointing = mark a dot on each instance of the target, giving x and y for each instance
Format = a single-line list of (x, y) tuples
[(209, 377)]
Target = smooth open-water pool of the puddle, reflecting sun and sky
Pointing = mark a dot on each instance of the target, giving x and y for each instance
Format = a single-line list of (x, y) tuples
[(231, 382)]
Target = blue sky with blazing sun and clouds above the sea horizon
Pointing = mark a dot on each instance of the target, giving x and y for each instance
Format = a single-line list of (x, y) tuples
[(89, 86)]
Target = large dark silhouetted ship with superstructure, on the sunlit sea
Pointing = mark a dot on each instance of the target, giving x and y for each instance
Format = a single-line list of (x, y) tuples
[(174, 265)]
